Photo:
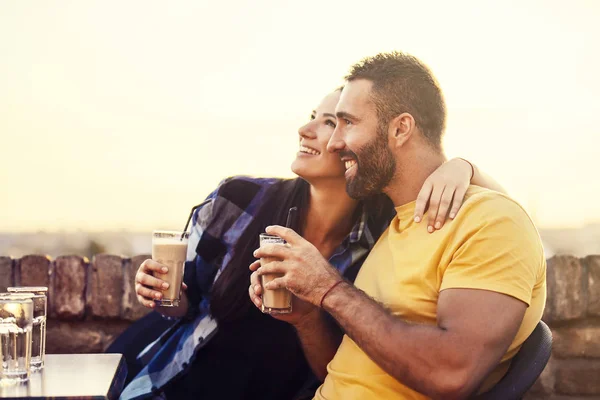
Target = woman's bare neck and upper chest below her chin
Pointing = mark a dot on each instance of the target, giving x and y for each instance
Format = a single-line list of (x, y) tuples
[(329, 215)]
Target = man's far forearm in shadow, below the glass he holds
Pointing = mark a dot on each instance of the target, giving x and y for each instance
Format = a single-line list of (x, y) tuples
[(320, 339)]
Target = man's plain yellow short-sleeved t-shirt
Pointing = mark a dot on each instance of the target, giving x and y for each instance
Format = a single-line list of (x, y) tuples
[(492, 244)]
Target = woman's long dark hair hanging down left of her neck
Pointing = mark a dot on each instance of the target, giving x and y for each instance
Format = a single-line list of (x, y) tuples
[(229, 294)]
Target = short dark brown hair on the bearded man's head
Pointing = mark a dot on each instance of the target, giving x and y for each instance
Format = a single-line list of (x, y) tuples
[(402, 83)]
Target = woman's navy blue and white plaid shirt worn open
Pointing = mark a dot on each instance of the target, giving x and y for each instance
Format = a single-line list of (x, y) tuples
[(215, 229)]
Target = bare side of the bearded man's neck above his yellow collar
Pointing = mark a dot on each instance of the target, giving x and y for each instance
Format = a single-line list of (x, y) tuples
[(411, 175)]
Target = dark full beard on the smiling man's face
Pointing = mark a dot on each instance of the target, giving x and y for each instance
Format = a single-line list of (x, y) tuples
[(374, 169)]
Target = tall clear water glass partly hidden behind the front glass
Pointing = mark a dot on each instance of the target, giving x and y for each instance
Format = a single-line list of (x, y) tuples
[(40, 312)]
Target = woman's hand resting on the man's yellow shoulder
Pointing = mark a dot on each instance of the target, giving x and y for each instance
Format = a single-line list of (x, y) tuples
[(443, 190)]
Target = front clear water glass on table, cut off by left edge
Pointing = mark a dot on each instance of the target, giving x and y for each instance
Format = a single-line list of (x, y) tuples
[(16, 324)]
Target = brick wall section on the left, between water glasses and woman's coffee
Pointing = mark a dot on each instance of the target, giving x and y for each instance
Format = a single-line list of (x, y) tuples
[(89, 304)]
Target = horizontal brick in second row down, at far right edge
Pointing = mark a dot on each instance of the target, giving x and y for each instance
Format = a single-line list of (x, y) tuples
[(576, 342)]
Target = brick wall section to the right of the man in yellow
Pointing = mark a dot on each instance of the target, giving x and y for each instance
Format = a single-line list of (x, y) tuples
[(573, 314)]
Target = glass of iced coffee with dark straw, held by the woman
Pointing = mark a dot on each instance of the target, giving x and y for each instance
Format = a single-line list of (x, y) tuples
[(170, 248)]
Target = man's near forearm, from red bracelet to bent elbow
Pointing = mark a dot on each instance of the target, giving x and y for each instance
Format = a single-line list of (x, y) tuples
[(420, 356)]
